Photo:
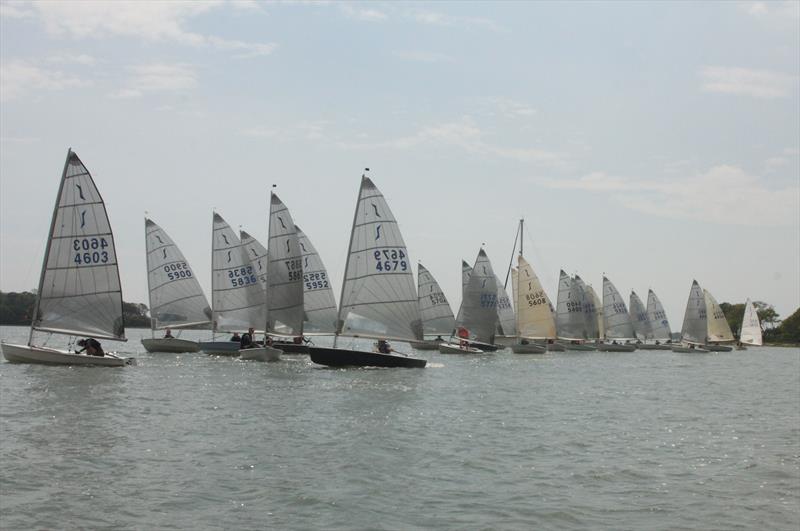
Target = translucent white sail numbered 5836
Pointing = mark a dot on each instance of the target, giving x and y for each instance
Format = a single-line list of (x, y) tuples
[(237, 295)]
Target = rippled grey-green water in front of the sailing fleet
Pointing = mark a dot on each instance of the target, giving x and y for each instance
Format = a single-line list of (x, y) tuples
[(648, 440)]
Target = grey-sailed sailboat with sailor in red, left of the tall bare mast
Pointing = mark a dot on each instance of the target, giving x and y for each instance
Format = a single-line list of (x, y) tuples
[(476, 325)]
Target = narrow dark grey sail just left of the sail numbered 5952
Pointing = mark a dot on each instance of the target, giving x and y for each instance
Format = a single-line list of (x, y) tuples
[(285, 272)]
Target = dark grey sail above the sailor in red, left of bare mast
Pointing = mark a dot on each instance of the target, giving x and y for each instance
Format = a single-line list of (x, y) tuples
[(478, 312)]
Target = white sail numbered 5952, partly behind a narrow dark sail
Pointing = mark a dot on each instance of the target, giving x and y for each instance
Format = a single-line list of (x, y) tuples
[(318, 302)]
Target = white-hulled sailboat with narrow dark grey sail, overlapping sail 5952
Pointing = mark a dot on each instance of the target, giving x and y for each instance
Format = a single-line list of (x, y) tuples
[(284, 300)]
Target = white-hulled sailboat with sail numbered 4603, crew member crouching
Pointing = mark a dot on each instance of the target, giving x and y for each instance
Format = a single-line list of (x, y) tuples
[(79, 286)]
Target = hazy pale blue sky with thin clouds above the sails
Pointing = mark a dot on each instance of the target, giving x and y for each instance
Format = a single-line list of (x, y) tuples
[(655, 142)]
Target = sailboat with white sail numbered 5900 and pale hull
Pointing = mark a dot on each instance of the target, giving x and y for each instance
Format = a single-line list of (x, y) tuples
[(176, 298)]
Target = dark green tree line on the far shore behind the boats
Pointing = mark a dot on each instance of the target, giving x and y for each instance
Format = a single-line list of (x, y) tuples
[(17, 309)]
